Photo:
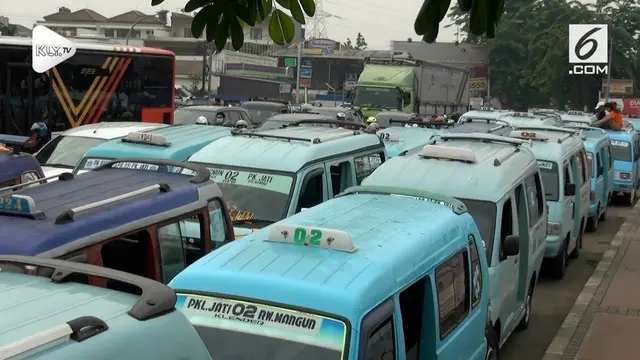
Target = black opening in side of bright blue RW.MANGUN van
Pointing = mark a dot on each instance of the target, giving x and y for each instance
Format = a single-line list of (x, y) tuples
[(411, 308)]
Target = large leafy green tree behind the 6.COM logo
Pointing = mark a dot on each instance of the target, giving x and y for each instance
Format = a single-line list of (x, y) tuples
[(529, 56)]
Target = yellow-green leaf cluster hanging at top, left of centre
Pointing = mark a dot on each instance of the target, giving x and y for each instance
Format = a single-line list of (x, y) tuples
[(220, 20)]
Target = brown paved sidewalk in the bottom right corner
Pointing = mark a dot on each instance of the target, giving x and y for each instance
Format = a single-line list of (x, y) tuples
[(604, 322)]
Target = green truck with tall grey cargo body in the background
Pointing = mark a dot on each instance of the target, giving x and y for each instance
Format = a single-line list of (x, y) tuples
[(396, 81)]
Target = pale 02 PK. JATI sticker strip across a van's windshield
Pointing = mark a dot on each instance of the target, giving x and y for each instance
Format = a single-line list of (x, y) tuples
[(271, 182)]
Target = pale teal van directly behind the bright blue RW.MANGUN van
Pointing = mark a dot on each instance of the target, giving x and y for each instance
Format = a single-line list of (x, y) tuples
[(497, 178)]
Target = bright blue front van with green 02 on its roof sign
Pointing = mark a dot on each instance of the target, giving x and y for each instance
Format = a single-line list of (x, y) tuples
[(347, 281)]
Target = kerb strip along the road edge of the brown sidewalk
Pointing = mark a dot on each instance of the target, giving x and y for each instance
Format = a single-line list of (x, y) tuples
[(563, 339)]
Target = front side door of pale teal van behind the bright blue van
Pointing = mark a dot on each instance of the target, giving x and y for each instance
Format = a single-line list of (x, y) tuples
[(504, 299)]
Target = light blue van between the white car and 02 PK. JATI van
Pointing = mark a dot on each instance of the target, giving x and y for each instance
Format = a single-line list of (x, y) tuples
[(175, 143)]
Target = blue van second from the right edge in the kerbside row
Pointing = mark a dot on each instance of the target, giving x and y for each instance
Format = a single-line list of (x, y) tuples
[(600, 164)]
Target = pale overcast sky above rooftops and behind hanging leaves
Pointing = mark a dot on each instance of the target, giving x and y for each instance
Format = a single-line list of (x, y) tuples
[(379, 21)]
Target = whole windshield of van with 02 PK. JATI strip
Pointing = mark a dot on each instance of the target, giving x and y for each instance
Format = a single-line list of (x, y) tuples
[(253, 195)]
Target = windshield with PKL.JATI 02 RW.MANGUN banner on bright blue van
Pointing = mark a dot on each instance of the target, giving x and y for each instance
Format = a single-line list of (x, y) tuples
[(243, 330)]
